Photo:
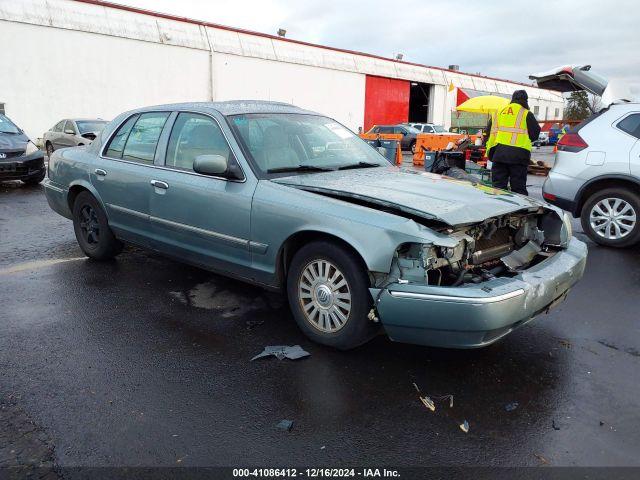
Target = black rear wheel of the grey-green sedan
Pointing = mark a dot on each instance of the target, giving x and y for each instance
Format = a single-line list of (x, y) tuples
[(92, 229)]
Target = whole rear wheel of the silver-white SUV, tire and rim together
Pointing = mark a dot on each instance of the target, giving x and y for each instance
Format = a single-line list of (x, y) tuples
[(611, 217)]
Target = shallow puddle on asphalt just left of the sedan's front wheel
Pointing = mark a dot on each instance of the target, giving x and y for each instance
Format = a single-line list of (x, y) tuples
[(212, 296)]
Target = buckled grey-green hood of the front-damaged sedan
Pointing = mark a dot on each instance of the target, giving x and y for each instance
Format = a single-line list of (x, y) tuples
[(426, 195)]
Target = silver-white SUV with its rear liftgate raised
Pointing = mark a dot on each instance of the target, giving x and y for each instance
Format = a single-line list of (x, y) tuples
[(596, 175)]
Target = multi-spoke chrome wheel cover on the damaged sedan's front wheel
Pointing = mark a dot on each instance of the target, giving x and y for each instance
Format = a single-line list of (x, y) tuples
[(325, 296)]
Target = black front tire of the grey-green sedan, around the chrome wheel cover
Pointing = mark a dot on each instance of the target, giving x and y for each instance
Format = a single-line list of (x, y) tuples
[(357, 328)]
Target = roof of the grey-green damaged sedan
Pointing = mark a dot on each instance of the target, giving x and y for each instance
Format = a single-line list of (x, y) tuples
[(232, 107)]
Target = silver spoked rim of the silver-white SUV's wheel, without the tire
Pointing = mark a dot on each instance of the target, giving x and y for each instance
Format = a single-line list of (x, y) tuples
[(612, 218)]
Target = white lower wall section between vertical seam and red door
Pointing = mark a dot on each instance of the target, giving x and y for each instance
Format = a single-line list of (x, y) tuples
[(332, 92)]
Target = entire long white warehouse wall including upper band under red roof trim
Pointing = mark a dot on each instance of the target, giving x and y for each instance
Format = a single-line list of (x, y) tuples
[(82, 59)]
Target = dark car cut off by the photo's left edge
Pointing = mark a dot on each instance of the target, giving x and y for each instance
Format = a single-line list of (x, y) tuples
[(20, 158)]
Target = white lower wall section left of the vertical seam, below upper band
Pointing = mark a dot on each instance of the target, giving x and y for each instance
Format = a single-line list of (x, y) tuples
[(57, 74)]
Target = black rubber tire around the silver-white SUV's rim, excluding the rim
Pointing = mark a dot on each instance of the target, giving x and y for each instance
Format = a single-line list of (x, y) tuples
[(631, 198)]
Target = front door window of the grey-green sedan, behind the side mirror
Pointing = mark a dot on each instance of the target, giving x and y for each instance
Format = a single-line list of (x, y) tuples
[(192, 135)]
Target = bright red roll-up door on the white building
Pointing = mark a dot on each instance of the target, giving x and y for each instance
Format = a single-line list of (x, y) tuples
[(386, 101)]
